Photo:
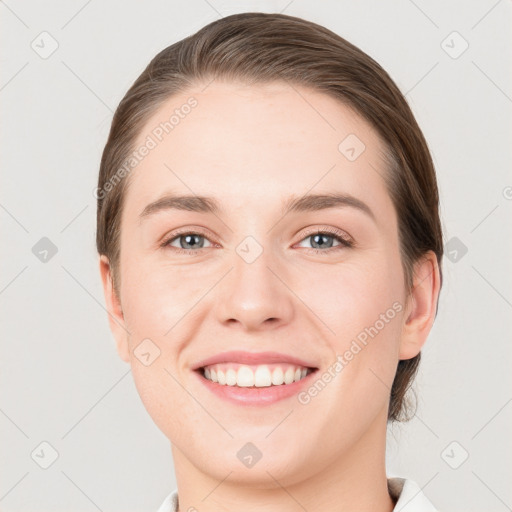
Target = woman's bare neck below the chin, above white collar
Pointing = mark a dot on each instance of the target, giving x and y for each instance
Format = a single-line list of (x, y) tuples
[(356, 481)]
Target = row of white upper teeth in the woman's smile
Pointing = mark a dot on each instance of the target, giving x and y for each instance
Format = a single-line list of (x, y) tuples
[(254, 376)]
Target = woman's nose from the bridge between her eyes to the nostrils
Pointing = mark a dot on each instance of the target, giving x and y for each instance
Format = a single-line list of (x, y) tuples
[(252, 294)]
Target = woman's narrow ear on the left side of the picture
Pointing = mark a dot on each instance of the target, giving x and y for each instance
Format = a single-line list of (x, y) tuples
[(115, 312)]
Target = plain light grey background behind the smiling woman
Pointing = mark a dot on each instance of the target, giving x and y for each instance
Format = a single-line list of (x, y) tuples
[(61, 379)]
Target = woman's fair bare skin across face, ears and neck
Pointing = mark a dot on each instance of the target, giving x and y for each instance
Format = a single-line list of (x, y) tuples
[(251, 147)]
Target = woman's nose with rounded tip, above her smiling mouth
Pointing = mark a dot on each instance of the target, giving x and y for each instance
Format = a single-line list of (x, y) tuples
[(254, 295)]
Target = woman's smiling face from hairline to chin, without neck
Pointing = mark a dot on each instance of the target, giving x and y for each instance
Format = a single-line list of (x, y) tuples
[(321, 282)]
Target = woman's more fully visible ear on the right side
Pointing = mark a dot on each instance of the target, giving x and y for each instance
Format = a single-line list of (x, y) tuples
[(421, 306)]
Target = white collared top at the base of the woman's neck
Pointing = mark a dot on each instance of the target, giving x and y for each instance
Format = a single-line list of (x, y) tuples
[(409, 495)]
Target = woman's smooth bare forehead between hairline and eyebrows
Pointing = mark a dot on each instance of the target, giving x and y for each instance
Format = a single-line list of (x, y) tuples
[(249, 144)]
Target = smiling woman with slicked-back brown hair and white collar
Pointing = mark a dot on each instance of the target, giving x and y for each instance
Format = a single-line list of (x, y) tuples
[(270, 250)]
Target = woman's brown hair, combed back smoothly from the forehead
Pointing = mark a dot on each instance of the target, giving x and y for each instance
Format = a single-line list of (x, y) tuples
[(263, 47)]
